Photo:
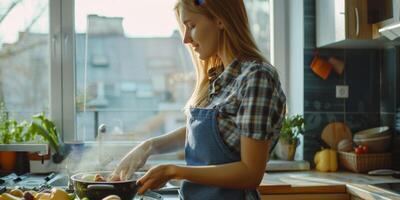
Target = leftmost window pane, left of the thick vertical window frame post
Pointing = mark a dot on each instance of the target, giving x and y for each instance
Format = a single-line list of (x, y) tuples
[(24, 57)]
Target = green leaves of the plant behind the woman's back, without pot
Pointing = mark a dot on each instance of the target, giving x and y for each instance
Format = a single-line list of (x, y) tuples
[(292, 127)]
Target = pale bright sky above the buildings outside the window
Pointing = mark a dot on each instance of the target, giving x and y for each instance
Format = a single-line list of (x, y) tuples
[(142, 18)]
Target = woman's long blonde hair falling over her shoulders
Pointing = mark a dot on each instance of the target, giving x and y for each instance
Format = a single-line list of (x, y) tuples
[(235, 40)]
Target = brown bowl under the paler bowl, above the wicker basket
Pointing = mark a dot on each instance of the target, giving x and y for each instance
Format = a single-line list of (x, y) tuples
[(379, 144)]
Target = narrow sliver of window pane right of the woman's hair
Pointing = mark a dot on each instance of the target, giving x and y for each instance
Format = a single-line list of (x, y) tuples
[(259, 16)]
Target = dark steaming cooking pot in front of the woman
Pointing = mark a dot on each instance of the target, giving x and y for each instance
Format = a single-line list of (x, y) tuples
[(93, 190)]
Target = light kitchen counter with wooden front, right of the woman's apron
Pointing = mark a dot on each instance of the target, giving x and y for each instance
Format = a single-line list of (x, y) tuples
[(341, 184)]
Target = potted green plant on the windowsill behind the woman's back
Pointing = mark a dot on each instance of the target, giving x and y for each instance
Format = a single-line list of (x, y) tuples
[(292, 128)]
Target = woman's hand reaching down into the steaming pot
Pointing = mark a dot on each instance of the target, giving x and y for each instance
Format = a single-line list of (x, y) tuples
[(131, 162)]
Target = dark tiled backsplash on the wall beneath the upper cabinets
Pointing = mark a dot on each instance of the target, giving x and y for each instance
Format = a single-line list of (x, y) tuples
[(373, 77)]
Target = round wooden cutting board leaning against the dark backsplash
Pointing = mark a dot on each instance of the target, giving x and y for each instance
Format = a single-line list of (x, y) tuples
[(334, 132)]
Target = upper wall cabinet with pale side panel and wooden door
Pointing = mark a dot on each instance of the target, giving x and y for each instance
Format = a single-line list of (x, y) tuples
[(342, 23)]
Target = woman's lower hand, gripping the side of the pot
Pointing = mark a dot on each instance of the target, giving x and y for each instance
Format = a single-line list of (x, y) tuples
[(156, 177)]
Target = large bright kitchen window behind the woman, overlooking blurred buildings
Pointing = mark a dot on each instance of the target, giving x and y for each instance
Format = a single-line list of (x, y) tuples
[(126, 67)]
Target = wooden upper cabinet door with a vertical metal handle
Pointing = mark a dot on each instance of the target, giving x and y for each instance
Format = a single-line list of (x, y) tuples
[(357, 20)]
